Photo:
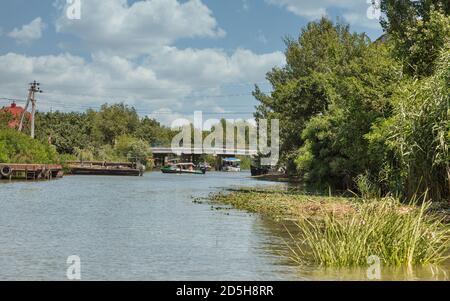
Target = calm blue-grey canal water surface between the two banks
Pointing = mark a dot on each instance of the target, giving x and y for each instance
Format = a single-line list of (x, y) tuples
[(148, 228)]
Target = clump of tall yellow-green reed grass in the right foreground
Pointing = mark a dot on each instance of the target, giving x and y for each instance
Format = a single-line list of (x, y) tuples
[(397, 234)]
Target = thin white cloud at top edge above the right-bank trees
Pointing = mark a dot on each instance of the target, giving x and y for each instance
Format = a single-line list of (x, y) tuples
[(354, 11)]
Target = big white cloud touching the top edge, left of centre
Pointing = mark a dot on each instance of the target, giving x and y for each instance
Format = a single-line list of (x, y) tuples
[(136, 29)]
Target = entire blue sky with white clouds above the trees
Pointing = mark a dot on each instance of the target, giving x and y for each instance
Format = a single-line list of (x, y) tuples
[(167, 58)]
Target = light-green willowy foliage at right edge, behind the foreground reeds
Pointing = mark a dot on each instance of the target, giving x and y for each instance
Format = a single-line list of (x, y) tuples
[(414, 143)]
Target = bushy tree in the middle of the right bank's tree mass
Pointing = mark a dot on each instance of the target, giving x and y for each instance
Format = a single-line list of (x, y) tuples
[(335, 149)]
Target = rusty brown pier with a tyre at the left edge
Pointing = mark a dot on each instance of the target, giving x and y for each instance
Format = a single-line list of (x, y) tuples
[(30, 171)]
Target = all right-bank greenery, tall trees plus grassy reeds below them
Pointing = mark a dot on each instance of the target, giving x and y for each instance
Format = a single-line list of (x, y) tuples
[(370, 119)]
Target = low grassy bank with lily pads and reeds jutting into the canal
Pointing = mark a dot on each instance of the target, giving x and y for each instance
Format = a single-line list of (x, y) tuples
[(344, 232)]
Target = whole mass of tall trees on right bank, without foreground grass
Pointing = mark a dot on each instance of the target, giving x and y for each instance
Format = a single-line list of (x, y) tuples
[(354, 112)]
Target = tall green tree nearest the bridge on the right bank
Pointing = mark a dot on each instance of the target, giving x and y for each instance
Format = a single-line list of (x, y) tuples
[(304, 87)]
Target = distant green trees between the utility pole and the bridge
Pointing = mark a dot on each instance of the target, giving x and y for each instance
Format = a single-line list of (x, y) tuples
[(93, 135)]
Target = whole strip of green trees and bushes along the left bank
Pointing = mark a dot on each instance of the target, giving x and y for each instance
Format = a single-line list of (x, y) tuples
[(114, 133)]
